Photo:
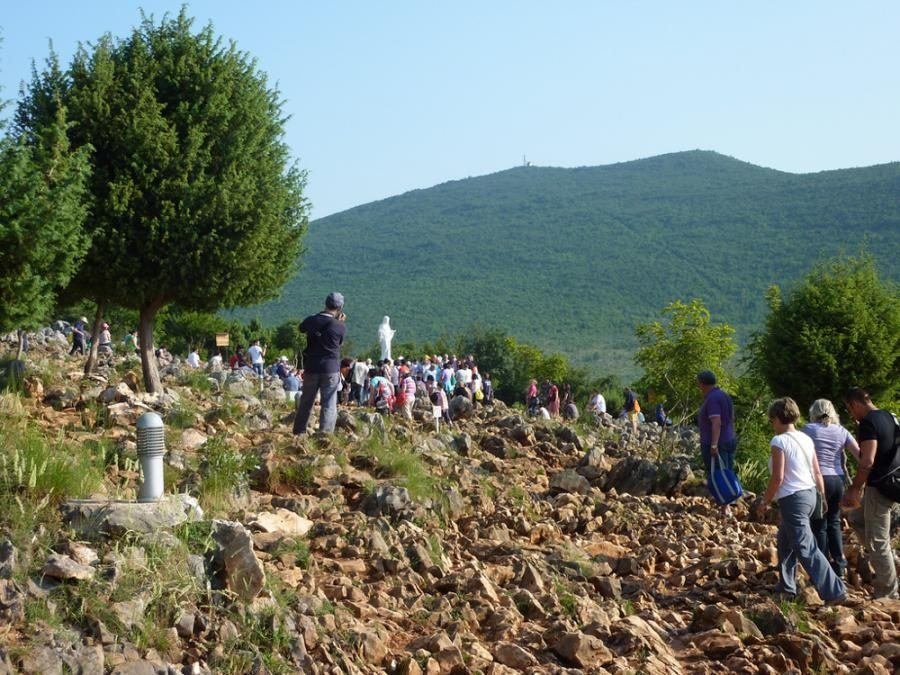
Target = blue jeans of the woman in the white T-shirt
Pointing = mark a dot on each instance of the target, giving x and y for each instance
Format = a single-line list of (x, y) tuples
[(796, 543)]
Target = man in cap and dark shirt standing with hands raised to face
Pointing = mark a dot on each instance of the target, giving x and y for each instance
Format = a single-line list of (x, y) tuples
[(322, 364)]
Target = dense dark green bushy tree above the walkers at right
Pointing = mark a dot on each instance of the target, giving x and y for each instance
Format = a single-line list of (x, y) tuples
[(838, 328)]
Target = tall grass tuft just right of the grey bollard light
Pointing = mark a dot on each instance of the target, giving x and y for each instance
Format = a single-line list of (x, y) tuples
[(223, 474)]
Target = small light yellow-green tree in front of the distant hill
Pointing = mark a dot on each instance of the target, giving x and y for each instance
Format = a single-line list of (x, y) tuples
[(674, 350)]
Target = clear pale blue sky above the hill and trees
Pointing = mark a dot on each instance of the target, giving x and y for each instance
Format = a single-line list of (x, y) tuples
[(390, 96)]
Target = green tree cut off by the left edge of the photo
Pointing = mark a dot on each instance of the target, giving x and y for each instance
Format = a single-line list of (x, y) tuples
[(42, 211)]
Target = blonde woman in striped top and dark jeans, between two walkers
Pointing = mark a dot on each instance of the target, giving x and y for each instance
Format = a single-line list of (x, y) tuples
[(830, 439)]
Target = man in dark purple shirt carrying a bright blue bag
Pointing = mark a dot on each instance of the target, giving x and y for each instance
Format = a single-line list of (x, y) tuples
[(718, 442)]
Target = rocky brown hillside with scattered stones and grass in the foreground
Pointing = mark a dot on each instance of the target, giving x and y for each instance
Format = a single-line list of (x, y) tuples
[(501, 545)]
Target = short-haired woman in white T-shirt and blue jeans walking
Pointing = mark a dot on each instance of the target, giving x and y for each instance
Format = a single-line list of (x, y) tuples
[(795, 479)]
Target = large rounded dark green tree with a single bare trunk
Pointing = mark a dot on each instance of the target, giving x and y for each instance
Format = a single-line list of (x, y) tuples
[(194, 197)]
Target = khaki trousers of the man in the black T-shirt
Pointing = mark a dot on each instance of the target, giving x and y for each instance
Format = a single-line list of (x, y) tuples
[(872, 524)]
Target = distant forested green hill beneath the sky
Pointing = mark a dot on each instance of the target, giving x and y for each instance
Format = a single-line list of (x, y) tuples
[(572, 259)]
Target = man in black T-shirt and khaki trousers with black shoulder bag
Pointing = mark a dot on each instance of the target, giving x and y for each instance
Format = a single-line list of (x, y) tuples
[(878, 456)]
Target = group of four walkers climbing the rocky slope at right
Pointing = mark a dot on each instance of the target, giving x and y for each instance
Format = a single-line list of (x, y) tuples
[(810, 484)]
